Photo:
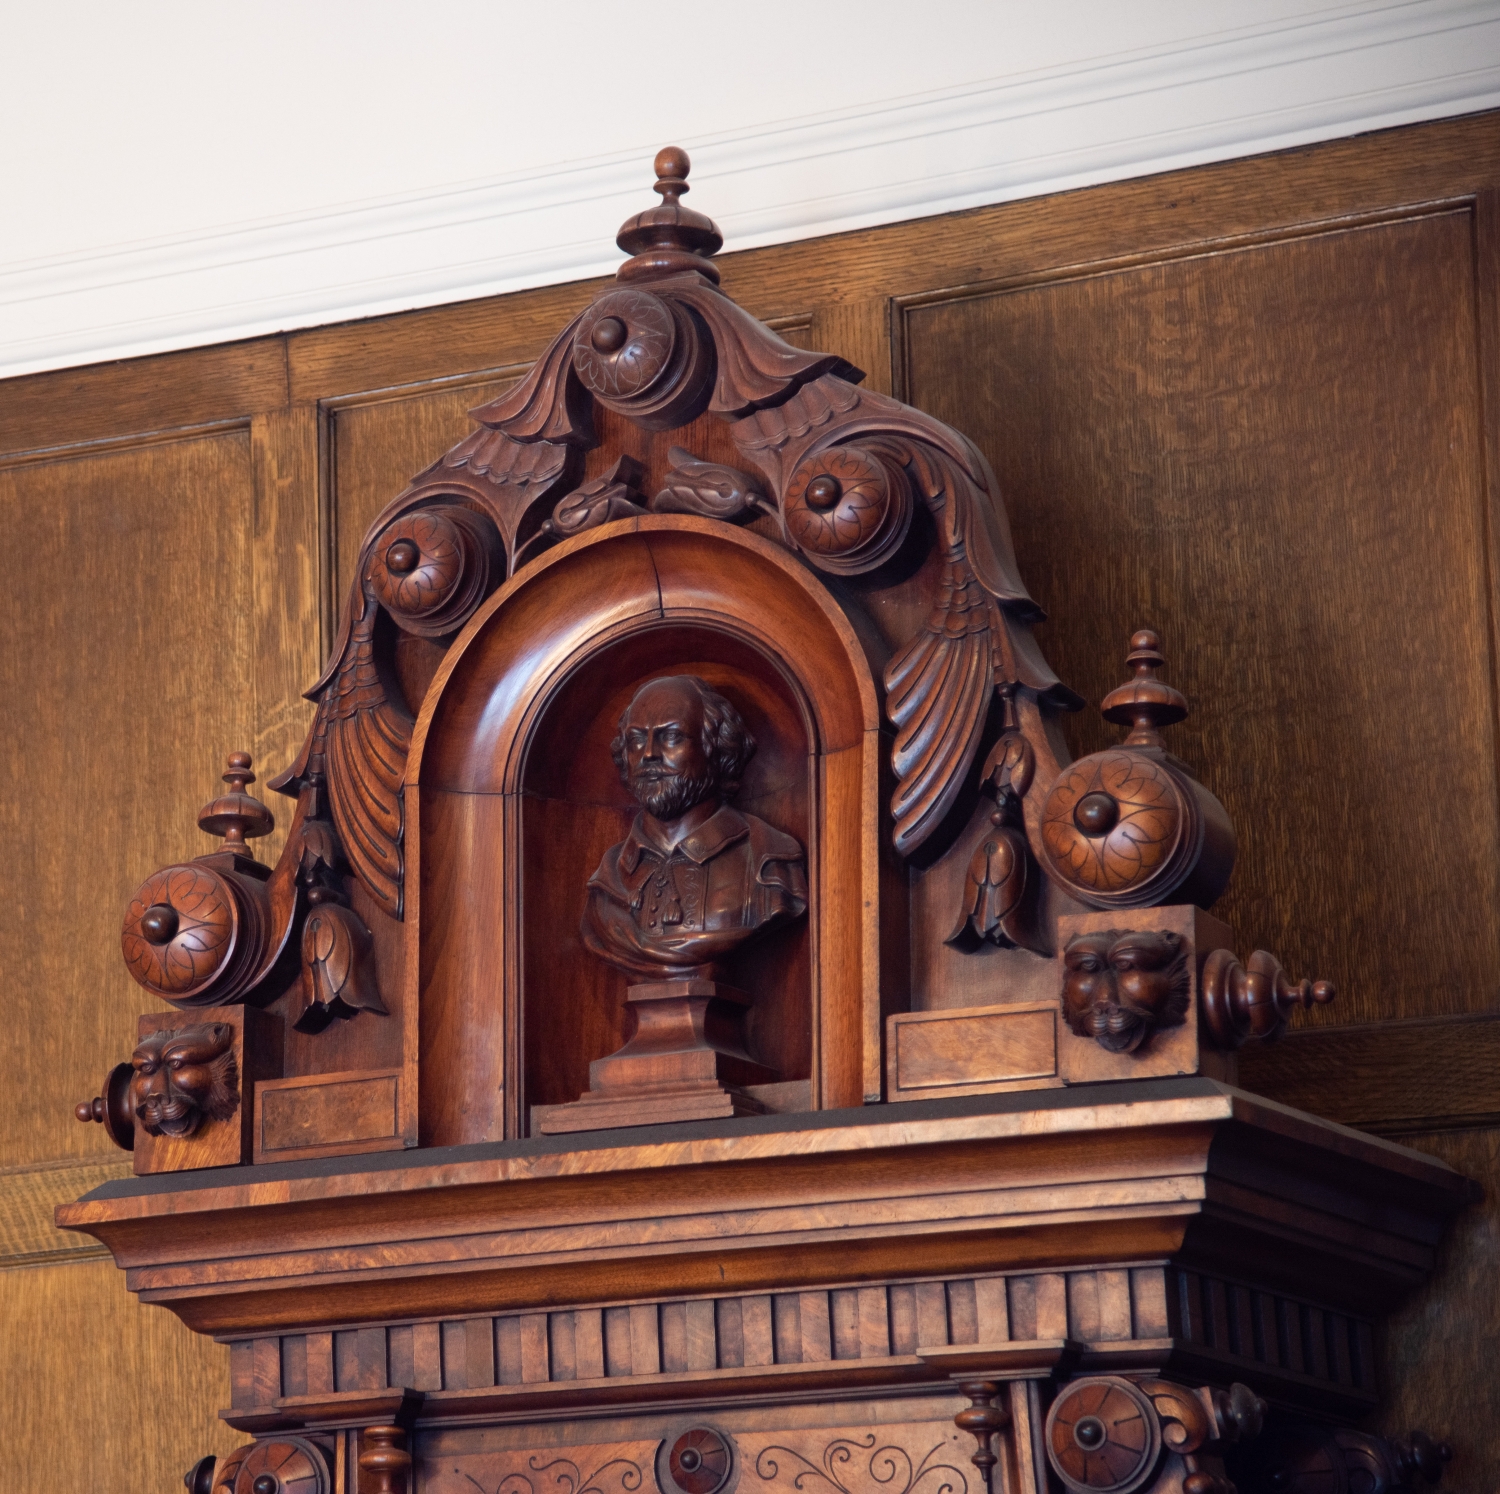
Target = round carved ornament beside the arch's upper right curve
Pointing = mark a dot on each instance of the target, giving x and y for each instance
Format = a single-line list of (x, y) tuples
[(847, 509)]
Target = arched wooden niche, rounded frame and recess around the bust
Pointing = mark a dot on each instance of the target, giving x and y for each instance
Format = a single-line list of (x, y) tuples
[(512, 800)]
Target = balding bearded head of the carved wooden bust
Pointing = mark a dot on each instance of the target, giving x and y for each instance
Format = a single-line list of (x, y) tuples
[(680, 745)]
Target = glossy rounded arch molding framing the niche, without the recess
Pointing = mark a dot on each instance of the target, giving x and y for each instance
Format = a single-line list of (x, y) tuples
[(467, 775)]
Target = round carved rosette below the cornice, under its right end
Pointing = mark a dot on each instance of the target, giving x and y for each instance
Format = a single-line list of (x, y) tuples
[(1103, 1436)]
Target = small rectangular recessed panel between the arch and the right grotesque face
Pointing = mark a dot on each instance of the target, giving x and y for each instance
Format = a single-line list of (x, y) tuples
[(986, 1046)]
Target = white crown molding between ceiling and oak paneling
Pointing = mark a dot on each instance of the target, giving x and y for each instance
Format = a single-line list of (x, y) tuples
[(1253, 89)]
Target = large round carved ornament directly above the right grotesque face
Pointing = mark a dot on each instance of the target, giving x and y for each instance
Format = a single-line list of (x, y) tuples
[(1118, 830)]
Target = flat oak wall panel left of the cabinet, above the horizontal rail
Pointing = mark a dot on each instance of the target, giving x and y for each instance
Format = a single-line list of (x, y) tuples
[(127, 676)]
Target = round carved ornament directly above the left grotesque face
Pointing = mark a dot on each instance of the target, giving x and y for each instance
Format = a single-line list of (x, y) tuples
[(199, 914)]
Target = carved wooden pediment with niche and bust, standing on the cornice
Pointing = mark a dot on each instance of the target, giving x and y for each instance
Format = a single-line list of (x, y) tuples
[(686, 752)]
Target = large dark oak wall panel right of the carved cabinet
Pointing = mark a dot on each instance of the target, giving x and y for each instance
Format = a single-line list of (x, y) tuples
[(1274, 455)]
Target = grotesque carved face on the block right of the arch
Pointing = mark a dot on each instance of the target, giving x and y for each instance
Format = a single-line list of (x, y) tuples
[(1123, 986)]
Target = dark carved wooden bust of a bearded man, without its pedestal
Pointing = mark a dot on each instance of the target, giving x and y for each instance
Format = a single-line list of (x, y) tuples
[(695, 878)]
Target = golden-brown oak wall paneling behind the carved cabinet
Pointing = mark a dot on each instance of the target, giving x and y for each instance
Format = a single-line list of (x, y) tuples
[(1166, 374)]
